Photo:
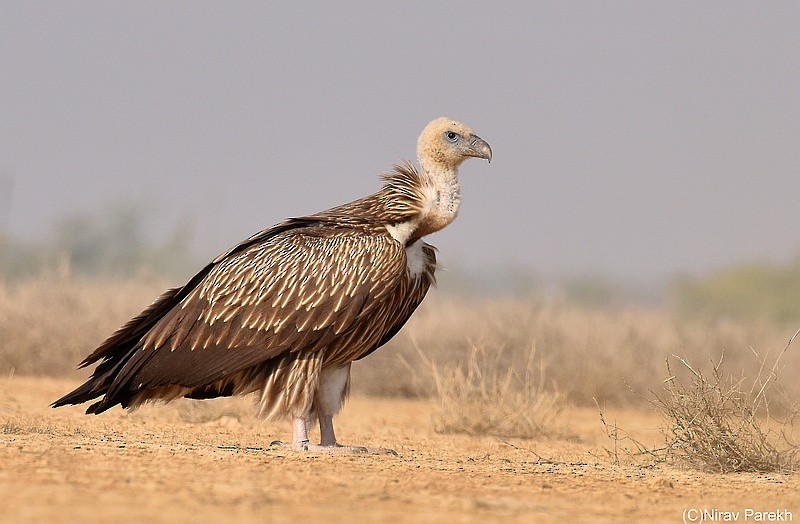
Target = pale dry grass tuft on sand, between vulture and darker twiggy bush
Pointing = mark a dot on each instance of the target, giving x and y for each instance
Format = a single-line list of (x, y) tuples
[(492, 398)]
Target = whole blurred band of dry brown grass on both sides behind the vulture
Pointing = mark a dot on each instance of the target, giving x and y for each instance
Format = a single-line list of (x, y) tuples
[(49, 324)]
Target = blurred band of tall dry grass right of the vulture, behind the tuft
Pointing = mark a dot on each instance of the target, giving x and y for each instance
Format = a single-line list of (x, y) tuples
[(588, 353)]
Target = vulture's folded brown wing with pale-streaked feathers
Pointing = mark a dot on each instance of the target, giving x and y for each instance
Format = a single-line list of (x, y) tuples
[(298, 290)]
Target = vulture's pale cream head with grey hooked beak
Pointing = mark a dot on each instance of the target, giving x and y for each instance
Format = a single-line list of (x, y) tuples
[(445, 143)]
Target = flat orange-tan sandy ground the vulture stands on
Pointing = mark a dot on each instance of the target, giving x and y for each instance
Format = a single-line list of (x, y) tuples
[(210, 462)]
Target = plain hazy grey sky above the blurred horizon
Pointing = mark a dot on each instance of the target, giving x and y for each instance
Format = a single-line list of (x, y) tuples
[(637, 139)]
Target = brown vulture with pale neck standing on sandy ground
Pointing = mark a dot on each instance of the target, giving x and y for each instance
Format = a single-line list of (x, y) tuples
[(284, 313)]
